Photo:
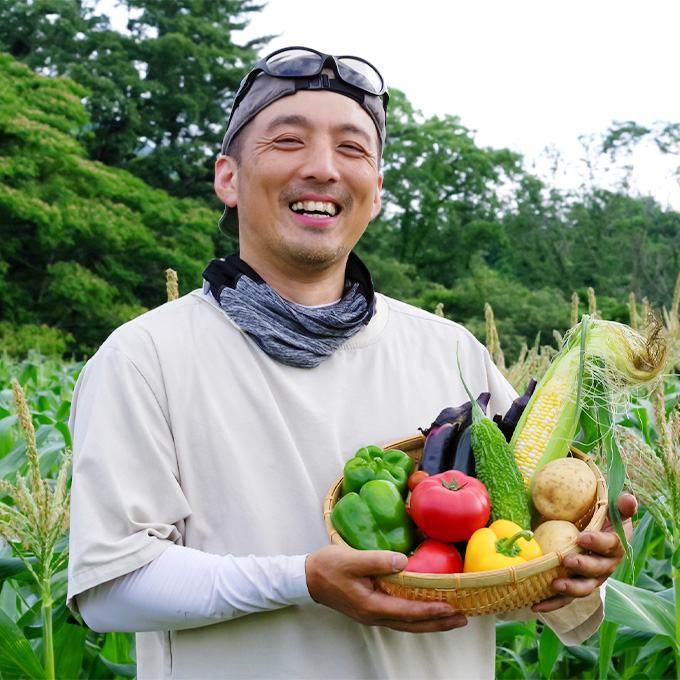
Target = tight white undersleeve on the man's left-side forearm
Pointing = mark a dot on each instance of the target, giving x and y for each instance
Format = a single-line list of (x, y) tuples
[(185, 588)]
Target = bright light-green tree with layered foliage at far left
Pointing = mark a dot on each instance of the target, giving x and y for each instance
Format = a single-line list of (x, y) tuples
[(84, 246)]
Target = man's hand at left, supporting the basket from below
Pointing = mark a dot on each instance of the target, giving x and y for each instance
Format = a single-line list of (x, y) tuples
[(340, 578)]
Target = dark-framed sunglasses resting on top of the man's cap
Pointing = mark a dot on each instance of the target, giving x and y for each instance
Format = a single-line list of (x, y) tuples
[(303, 62)]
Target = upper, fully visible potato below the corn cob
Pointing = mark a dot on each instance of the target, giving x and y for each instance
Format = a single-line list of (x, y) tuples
[(564, 489)]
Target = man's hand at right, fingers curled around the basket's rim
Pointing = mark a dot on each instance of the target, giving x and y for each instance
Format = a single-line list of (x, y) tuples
[(590, 570)]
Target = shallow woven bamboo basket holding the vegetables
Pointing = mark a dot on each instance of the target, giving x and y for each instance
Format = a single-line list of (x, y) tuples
[(488, 592)]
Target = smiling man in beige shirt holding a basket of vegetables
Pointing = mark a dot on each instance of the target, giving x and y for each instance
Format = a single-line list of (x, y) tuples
[(208, 432)]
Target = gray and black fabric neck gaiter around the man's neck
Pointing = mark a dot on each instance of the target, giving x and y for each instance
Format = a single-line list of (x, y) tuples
[(288, 332)]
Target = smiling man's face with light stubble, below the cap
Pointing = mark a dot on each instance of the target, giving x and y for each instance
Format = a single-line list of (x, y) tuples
[(307, 184)]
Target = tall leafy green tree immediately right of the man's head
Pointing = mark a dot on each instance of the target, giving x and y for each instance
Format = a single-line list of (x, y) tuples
[(441, 194)]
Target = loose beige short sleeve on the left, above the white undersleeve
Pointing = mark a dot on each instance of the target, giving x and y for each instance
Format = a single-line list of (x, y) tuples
[(127, 500)]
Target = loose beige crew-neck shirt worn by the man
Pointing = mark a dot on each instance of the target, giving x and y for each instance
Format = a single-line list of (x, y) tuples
[(185, 432)]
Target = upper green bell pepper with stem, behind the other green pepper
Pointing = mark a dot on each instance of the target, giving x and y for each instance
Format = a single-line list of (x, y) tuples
[(371, 462)]
